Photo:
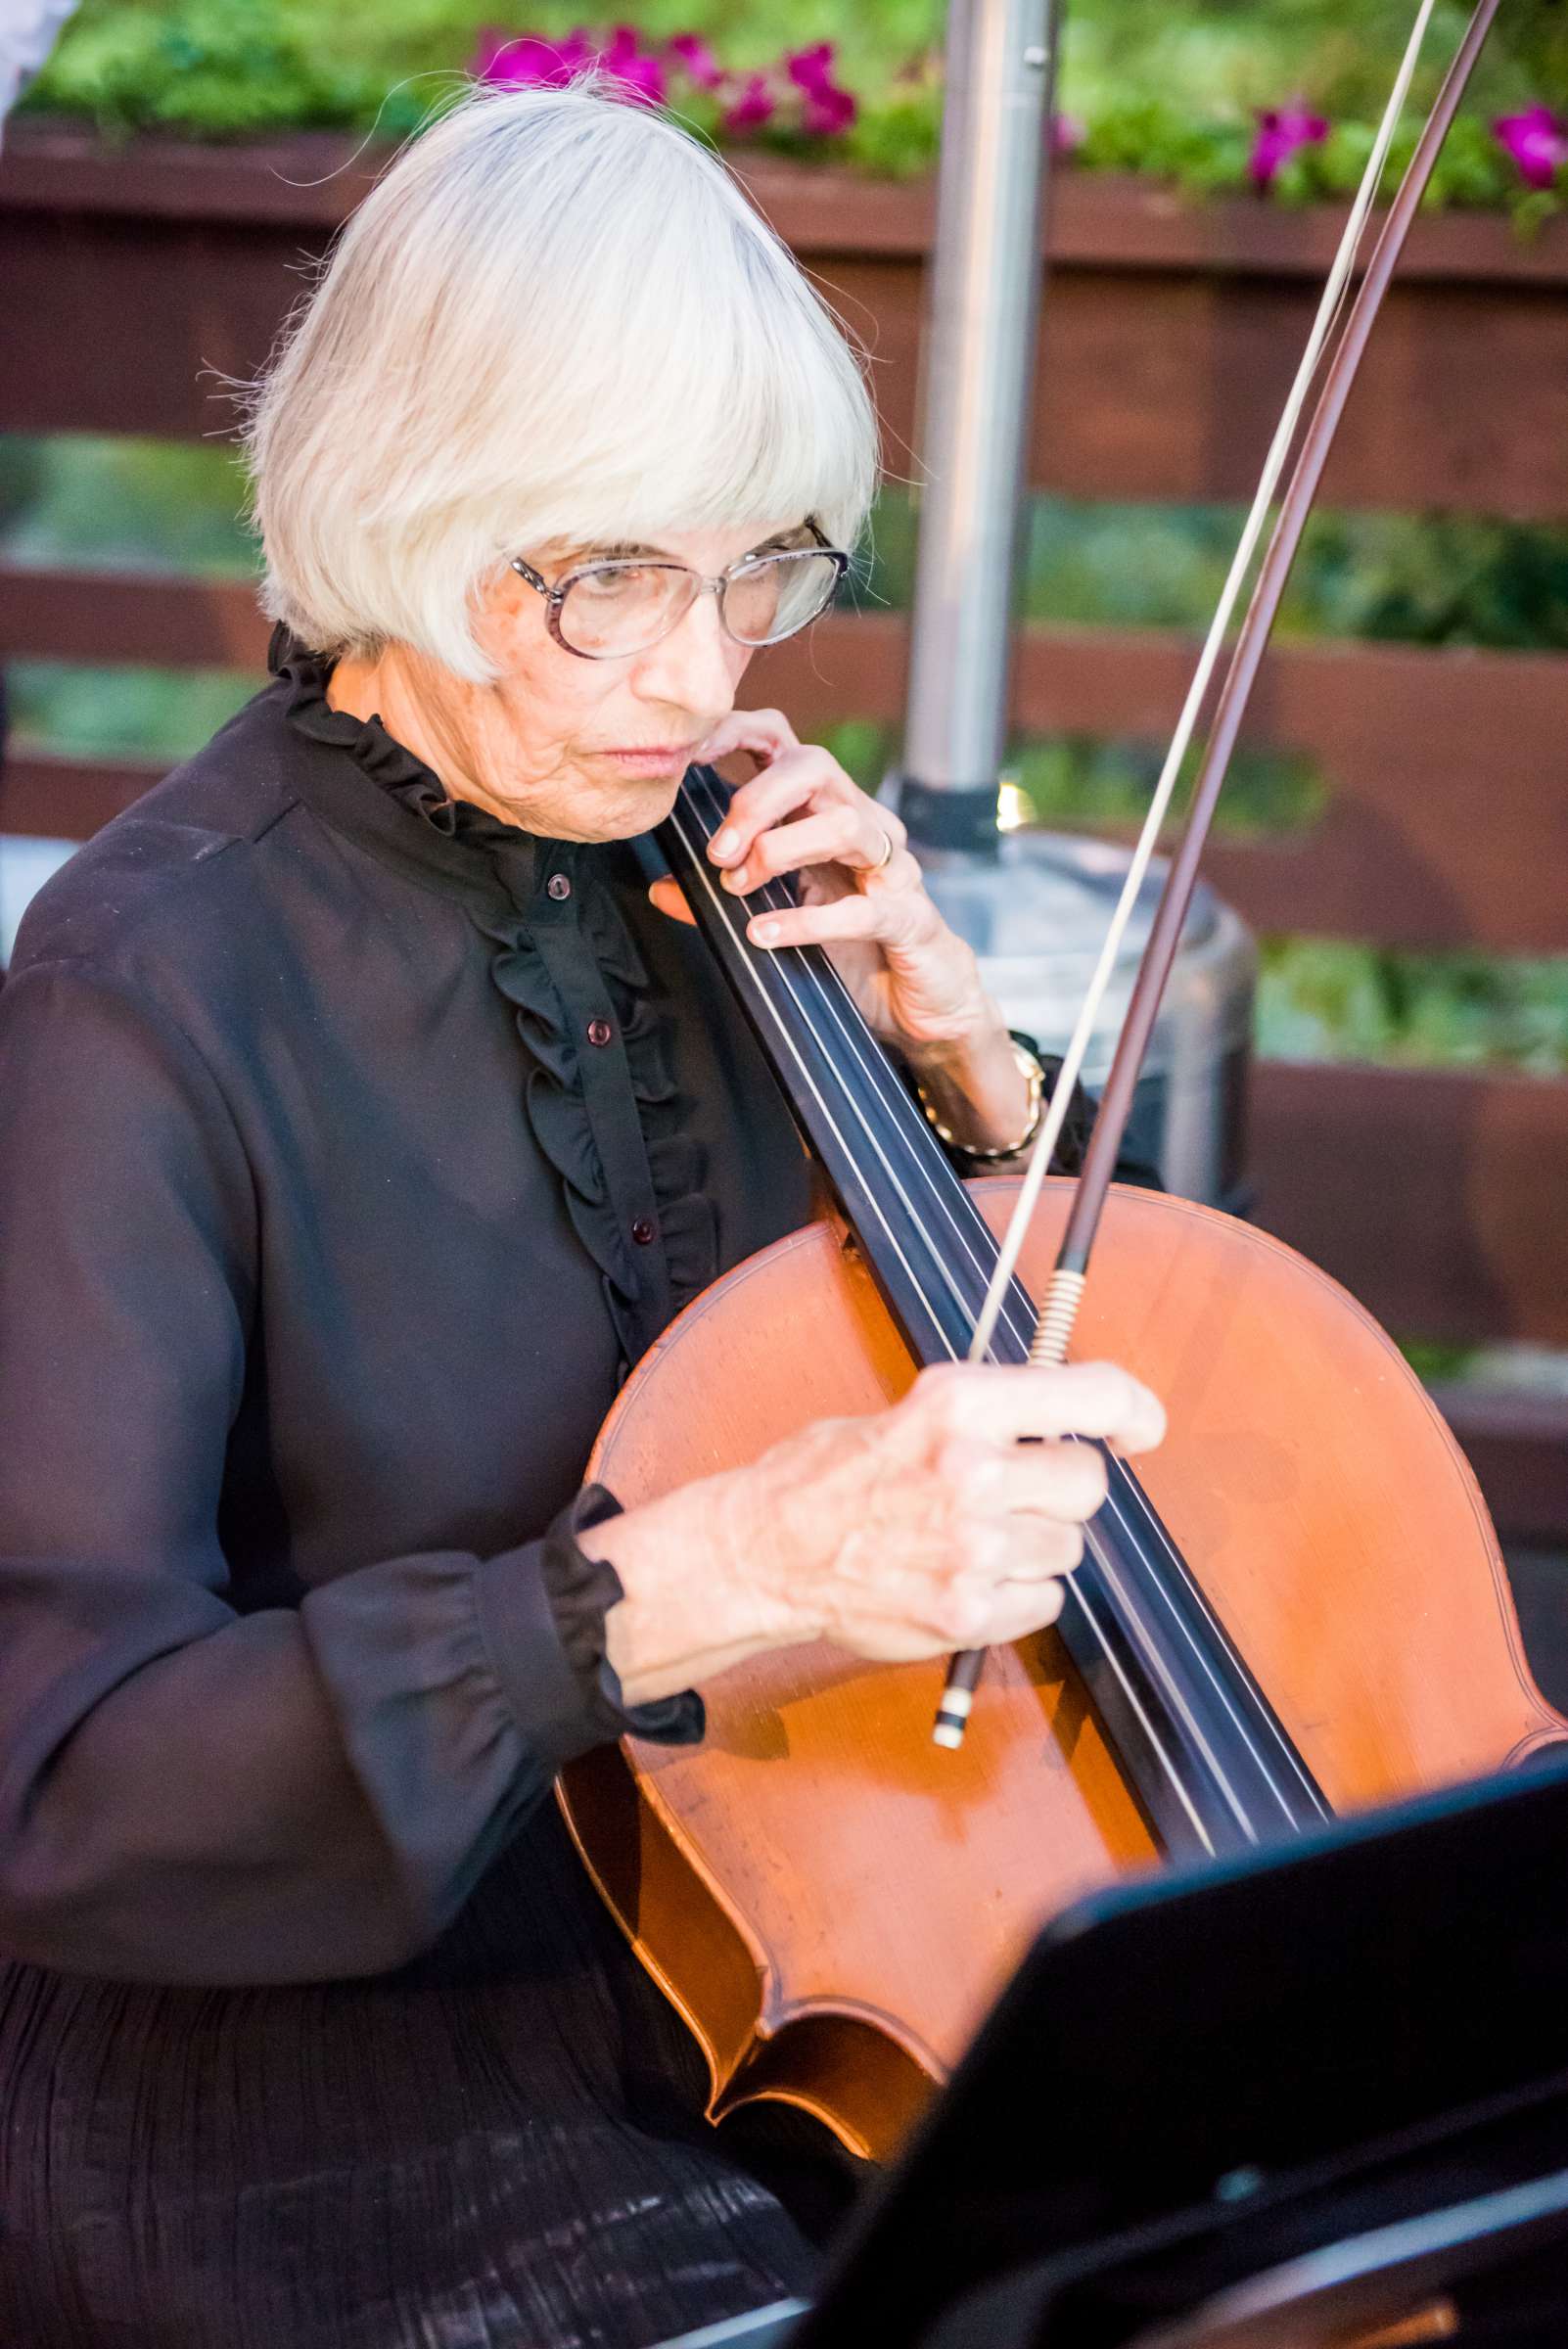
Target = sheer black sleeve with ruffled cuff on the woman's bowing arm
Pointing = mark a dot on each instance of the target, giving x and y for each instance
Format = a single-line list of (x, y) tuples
[(194, 1793)]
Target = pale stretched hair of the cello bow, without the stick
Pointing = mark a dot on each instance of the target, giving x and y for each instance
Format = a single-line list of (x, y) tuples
[(1273, 469)]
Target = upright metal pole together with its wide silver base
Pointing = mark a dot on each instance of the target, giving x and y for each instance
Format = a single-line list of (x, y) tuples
[(1034, 906)]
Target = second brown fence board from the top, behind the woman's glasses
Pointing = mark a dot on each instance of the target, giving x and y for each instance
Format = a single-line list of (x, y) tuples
[(1447, 823)]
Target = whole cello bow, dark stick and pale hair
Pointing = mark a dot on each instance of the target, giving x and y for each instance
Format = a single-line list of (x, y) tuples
[(1067, 1286)]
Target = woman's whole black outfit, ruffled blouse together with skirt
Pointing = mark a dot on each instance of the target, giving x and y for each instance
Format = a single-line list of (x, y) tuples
[(351, 1147)]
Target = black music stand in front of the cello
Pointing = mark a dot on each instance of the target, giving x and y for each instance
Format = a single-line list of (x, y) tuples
[(1212, 2073)]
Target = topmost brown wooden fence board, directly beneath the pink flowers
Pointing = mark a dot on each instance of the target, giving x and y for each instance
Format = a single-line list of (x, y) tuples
[(1170, 328)]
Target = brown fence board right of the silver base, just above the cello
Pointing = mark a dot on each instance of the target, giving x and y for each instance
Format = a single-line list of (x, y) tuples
[(1433, 1194)]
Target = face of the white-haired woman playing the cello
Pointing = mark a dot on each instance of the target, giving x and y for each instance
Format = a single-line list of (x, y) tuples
[(586, 751)]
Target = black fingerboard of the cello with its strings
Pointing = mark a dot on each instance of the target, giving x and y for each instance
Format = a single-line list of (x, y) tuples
[(1198, 1742)]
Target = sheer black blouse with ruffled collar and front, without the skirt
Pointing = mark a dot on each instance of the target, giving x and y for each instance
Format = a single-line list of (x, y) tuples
[(353, 1143)]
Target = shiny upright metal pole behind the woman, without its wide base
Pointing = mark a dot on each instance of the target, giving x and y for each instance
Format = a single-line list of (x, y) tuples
[(978, 396)]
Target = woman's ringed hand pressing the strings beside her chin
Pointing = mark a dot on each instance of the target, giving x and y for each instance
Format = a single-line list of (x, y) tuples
[(863, 896)]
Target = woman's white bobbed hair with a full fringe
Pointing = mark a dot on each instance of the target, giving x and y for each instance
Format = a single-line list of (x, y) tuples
[(555, 318)]
